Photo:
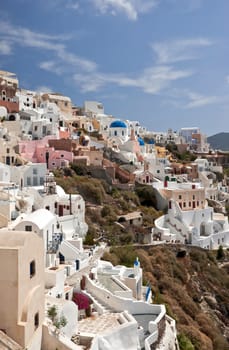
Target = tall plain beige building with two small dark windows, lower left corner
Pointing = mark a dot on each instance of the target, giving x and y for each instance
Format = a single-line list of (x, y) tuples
[(22, 287)]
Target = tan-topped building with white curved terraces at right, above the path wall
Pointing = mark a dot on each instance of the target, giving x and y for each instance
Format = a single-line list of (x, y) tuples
[(189, 219)]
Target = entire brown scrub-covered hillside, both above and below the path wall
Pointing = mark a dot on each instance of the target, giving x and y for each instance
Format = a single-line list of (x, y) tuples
[(194, 288)]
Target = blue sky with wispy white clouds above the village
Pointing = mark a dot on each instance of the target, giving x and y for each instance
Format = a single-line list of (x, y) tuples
[(161, 62)]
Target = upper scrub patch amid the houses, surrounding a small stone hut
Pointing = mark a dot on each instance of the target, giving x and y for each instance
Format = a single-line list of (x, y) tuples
[(105, 204)]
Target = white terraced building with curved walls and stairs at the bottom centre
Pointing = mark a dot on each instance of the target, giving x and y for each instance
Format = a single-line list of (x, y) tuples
[(114, 289)]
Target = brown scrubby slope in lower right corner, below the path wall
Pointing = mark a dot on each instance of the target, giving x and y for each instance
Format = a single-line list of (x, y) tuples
[(194, 289)]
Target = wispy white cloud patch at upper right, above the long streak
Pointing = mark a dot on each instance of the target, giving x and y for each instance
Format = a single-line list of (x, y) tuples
[(179, 50)]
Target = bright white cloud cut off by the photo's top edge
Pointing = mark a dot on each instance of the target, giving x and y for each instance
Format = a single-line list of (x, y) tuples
[(131, 8)]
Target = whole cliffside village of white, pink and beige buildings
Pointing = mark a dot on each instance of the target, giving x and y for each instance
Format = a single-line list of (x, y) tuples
[(54, 293)]
